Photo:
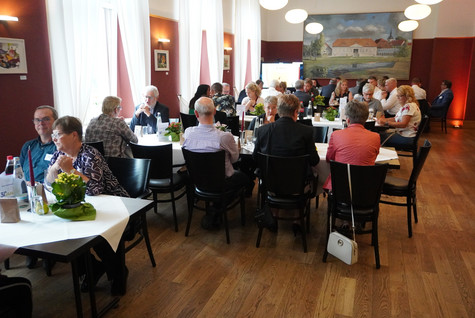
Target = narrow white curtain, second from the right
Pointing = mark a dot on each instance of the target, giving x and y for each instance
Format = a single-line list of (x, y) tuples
[(213, 24)]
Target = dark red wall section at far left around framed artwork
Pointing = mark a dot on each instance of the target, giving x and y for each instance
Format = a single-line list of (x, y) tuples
[(19, 98)]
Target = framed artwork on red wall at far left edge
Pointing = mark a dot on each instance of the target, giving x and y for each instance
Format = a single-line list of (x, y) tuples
[(12, 56)]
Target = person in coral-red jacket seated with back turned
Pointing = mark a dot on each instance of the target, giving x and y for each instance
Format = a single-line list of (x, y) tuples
[(354, 145)]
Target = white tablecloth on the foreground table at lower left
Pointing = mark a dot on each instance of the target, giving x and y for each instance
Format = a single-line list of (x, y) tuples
[(111, 219)]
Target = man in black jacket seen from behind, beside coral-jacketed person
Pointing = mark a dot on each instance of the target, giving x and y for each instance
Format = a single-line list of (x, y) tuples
[(286, 137)]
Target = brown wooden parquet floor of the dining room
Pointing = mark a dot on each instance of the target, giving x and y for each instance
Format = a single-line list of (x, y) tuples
[(431, 274)]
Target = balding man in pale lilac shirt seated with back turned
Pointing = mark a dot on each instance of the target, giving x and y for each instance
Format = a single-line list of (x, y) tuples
[(206, 138)]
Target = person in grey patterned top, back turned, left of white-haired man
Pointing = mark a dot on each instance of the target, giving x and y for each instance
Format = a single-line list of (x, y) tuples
[(111, 130)]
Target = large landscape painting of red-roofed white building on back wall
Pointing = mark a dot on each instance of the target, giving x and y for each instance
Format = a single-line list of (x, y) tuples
[(356, 46)]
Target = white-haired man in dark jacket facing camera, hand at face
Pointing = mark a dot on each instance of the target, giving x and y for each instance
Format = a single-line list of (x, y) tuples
[(147, 112)]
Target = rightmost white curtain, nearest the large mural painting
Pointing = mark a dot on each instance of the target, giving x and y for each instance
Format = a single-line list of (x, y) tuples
[(247, 27)]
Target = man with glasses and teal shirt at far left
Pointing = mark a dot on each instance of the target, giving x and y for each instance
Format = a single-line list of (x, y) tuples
[(42, 147)]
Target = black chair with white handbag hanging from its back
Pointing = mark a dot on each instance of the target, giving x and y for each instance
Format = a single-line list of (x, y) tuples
[(367, 184)]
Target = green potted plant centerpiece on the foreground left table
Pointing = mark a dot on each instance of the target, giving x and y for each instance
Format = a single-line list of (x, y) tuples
[(70, 191)]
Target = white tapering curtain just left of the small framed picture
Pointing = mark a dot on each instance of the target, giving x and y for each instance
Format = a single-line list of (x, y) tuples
[(134, 23)]
